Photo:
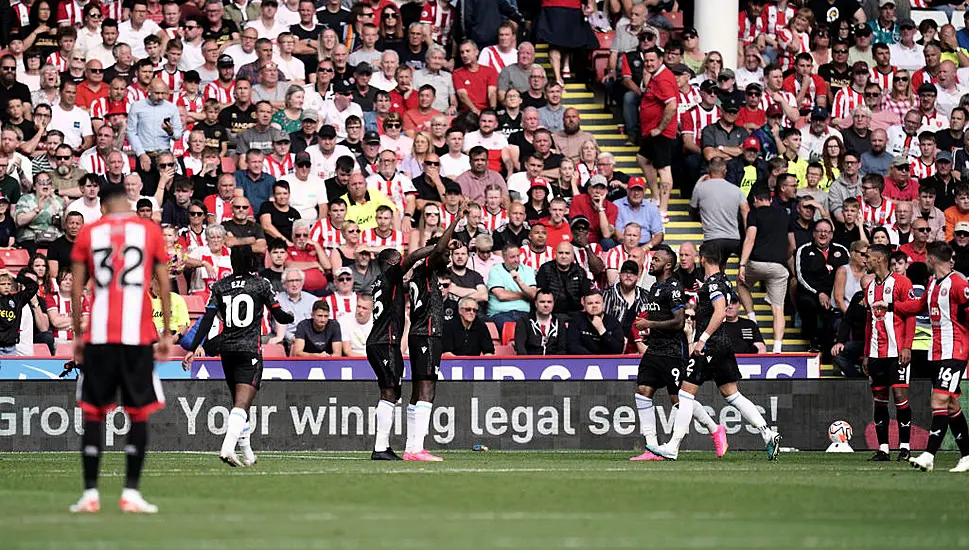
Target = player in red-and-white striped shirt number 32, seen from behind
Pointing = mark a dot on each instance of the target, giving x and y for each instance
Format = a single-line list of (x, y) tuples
[(120, 252)]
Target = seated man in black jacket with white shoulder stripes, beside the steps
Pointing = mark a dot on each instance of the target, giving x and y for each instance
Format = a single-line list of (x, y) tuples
[(815, 264)]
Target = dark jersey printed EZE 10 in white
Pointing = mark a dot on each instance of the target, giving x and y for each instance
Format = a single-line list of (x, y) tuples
[(240, 301)]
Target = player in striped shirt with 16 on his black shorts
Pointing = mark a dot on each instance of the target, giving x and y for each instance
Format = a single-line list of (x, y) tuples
[(947, 298)]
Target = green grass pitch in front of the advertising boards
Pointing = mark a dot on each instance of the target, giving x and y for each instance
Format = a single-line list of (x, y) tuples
[(525, 500)]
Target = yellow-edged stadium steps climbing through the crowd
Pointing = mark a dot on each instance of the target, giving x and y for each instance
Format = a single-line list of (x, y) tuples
[(681, 227)]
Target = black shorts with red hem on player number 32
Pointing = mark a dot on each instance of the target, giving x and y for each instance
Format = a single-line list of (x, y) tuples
[(109, 368)]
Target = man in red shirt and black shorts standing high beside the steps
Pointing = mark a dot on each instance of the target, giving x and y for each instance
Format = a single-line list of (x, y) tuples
[(657, 118)]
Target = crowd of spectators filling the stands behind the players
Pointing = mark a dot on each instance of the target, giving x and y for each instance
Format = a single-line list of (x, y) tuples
[(319, 133)]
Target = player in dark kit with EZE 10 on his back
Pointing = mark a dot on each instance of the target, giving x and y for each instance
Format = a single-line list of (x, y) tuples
[(239, 300)]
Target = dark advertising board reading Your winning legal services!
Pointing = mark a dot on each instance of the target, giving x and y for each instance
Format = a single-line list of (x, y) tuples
[(509, 415)]
